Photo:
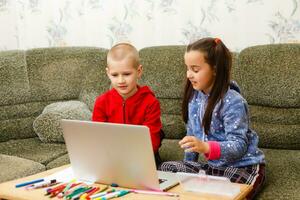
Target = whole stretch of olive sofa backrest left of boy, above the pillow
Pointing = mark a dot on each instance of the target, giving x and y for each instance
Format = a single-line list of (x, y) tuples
[(32, 79)]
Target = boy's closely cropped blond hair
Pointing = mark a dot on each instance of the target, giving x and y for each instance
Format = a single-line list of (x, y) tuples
[(122, 51)]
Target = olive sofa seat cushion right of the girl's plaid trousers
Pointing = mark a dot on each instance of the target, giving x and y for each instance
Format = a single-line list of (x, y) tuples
[(282, 175)]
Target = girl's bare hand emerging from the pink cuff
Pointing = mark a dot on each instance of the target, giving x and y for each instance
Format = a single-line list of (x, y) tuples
[(193, 144)]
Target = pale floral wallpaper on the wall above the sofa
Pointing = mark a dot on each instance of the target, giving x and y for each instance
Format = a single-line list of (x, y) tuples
[(29, 24)]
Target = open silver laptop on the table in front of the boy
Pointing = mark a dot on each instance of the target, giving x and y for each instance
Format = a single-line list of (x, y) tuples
[(110, 153)]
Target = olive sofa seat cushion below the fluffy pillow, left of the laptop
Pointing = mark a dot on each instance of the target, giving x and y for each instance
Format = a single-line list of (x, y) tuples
[(33, 149)]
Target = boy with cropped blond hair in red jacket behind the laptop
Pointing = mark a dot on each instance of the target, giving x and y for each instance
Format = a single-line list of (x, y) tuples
[(127, 102)]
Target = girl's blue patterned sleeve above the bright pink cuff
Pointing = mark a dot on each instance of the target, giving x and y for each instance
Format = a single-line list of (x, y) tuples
[(236, 124)]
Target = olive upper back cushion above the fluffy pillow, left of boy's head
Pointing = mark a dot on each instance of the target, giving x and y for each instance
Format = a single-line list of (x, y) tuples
[(57, 73)]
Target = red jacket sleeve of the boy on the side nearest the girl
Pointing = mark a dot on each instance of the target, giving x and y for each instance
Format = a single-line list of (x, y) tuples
[(153, 122)]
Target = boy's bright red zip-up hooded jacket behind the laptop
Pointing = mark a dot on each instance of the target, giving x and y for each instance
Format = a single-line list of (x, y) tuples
[(142, 108)]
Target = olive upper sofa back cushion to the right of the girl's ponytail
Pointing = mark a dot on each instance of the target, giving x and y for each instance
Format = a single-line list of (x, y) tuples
[(269, 75)]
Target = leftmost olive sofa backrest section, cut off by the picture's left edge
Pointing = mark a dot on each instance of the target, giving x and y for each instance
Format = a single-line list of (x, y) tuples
[(15, 118)]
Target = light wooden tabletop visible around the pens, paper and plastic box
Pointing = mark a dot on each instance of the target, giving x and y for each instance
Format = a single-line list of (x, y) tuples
[(9, 191)]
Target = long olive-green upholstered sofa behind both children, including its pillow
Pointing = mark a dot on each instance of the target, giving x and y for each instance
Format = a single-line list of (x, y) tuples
[(38, 87)]
